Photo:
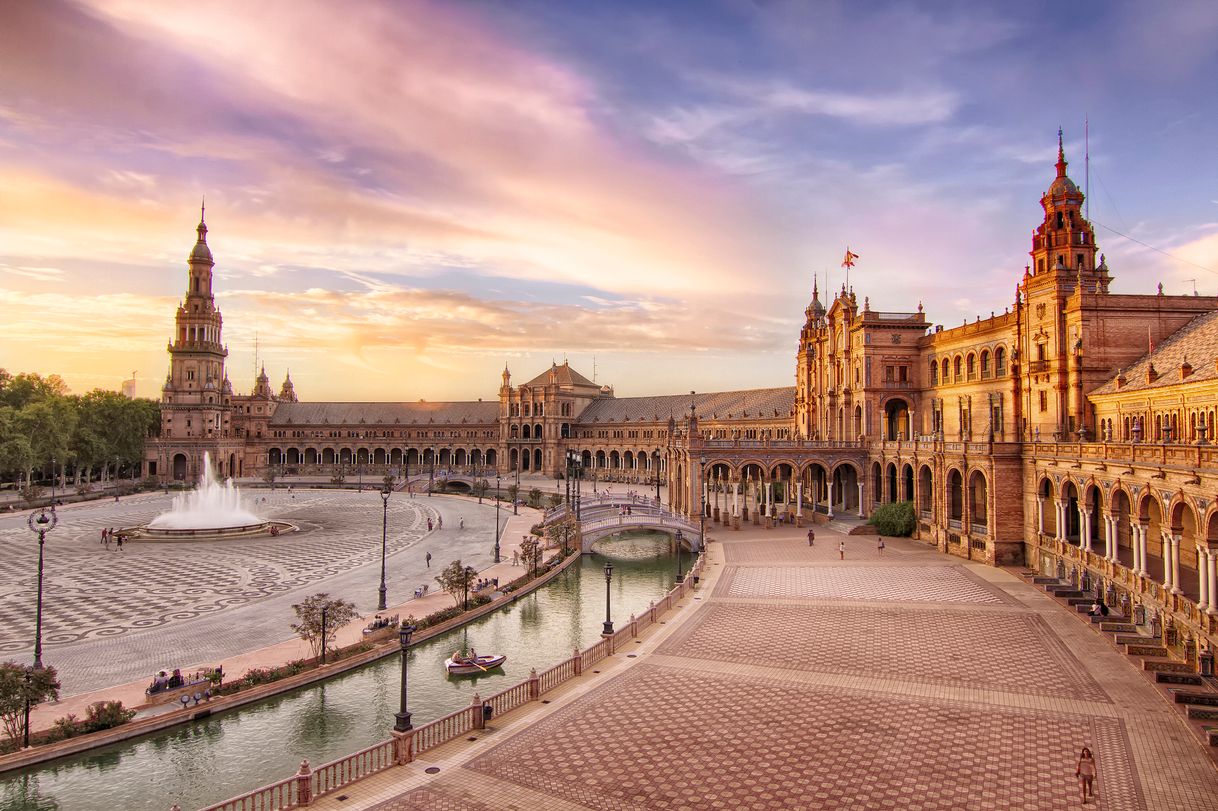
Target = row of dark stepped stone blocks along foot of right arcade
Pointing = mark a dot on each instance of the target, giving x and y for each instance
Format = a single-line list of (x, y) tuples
[(1195, 695)]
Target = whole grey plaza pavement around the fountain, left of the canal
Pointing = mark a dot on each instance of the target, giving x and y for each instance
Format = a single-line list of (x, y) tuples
[(113, 619)]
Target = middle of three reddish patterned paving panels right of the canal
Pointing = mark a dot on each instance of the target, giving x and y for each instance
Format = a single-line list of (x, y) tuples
[(1007, 652)]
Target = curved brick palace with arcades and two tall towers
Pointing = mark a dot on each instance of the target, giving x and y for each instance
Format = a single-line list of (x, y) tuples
[(1070, 434)]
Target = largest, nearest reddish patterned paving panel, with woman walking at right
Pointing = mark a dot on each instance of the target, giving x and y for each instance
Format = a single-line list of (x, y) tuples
[(663, 739)]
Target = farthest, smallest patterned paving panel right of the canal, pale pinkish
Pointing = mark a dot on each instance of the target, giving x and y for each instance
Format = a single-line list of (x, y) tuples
[(862, 583)]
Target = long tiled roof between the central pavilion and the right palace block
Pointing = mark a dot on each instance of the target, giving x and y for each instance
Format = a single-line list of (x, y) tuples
[(753, 404)]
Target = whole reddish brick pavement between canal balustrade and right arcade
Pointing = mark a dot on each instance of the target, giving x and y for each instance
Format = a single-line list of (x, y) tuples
[(795, 680)]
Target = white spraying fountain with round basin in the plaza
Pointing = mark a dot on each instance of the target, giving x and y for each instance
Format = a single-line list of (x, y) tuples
[(211, 511)]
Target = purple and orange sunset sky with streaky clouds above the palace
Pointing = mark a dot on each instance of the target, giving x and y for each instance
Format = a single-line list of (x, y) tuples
[(405, 198)]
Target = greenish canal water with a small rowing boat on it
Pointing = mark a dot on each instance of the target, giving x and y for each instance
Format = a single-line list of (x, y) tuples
[(208, 762)]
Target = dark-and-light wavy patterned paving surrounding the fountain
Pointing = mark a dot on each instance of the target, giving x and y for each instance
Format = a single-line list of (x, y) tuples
[(92, 592)]
